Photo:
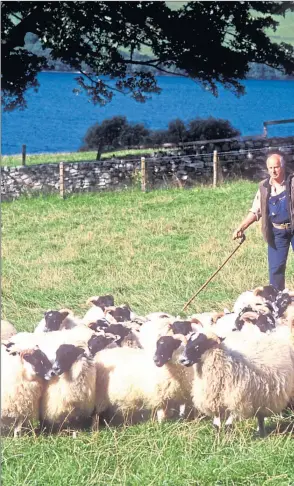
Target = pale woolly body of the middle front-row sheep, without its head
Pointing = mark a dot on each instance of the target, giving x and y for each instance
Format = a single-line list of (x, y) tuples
[(129, 383)]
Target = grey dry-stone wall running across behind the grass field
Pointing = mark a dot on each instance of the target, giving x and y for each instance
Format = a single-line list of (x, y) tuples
[(182, 167)]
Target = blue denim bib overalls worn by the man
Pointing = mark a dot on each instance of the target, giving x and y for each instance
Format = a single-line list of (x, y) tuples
[(277, 255)]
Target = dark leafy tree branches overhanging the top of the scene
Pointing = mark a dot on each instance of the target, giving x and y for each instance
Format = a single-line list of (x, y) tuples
[(211, 42)]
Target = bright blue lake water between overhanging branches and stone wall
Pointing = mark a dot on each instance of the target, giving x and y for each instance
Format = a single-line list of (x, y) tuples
[(56, 119)]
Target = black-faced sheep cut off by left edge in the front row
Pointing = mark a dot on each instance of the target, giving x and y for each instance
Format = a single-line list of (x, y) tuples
[(22, 385)]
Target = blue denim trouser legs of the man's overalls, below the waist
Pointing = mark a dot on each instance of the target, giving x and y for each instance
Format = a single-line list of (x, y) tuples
[(277, 257)]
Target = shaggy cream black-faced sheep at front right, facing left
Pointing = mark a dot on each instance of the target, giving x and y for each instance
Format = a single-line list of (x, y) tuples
[(243, 385)]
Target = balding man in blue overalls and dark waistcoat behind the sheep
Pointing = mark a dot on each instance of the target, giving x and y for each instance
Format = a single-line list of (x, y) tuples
[(274, 203)]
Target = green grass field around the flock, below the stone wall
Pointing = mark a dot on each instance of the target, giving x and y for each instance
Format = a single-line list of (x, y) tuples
[(153, 251)]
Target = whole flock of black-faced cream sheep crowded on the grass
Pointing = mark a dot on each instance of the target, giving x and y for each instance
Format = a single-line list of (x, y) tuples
[(115, 365)]
